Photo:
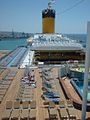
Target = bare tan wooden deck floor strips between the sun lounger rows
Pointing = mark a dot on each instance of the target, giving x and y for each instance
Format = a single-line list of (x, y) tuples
[(42, 112)]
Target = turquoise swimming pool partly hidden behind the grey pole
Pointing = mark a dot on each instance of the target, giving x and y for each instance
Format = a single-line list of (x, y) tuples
[(78, 85)]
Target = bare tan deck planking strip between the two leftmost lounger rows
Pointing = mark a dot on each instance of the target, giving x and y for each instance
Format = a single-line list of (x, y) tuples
[(11, 93)]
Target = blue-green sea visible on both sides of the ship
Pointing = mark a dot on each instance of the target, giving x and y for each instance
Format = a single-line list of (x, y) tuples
[(10, 44)]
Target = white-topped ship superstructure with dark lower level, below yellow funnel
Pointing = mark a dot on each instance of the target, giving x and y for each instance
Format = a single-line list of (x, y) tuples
[(55, 49)]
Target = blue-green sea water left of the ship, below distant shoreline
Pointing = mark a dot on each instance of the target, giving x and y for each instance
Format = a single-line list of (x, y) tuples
[(10, 44)]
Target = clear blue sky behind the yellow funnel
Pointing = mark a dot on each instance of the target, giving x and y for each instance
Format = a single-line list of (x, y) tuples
[(26, 16)]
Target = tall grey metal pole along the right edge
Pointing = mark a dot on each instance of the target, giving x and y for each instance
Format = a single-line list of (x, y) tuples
[(87, 65)]
